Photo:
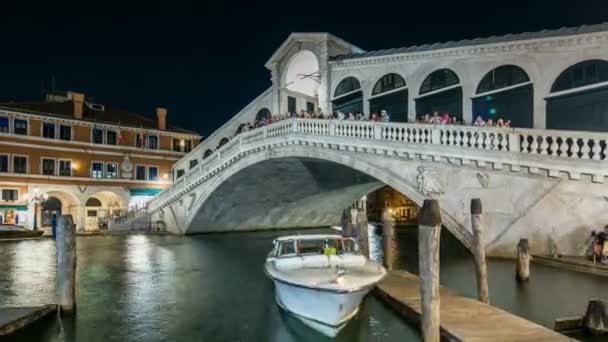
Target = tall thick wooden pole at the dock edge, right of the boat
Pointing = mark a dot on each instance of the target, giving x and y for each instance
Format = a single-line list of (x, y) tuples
[(429, 230)]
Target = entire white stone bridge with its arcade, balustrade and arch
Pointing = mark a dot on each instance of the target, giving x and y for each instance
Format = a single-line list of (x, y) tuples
[(543, 179)]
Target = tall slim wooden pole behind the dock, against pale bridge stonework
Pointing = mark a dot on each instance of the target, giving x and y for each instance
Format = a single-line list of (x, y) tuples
[(479, 252)]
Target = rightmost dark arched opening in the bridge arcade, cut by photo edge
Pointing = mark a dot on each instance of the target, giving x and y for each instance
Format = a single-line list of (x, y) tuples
[(579, 98)]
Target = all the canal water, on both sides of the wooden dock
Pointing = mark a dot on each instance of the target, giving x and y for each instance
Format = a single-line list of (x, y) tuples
[(212, 288)]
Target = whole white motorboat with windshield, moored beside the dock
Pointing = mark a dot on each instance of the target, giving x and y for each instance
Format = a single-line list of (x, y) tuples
[(321, 279)]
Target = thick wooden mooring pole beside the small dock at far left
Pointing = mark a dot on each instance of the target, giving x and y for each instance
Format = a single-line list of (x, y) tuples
[(66, 264)]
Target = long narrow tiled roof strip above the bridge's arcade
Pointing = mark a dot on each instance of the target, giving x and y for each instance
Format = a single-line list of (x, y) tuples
[(564, 31)]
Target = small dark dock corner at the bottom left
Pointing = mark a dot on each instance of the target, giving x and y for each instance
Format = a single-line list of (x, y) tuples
[(13, 319)]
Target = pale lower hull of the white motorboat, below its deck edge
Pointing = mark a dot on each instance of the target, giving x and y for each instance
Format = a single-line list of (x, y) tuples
[(324, 310)]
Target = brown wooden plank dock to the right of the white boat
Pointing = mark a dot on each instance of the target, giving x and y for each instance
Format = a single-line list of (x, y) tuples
[(462, 318)]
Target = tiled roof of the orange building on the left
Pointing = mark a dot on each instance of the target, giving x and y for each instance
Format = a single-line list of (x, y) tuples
[(107, 116)]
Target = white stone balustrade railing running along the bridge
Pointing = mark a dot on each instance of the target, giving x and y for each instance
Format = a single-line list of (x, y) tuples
[(570, 152)]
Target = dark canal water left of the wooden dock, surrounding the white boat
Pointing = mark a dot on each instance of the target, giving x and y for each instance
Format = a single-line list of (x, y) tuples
[(164, 288)]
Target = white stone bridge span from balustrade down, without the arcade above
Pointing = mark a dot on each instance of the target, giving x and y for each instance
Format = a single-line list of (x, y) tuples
[(541, 184)]
